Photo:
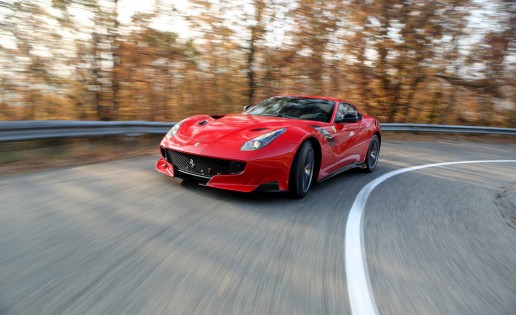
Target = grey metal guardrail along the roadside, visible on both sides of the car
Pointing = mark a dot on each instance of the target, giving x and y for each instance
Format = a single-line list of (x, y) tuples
[(47, 129)]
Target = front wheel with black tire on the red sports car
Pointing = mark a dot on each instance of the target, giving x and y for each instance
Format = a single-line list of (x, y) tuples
[(302, 171)]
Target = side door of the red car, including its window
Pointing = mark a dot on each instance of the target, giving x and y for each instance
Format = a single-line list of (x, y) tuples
[(348, 135)]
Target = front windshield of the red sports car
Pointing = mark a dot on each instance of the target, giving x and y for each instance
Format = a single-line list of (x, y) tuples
[(294, 107)]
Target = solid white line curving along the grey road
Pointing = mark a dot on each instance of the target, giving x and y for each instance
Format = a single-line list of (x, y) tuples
[(360, 296)]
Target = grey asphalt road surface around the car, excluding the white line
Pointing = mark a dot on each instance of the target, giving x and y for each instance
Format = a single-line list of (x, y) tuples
[(120, 238)]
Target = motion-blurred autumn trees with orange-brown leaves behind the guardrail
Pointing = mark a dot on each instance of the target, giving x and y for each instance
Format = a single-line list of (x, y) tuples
[(423, 61)]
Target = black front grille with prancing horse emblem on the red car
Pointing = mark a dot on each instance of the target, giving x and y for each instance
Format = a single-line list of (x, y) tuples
[(201, 166)]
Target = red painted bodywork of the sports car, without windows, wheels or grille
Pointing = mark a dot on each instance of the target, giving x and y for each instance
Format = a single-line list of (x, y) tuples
[(345, 145)]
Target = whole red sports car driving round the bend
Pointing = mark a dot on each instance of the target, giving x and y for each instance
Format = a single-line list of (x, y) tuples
[(280, 144)]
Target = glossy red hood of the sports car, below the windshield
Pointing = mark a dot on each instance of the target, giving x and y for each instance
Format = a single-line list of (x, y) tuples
[(237, 128)]
